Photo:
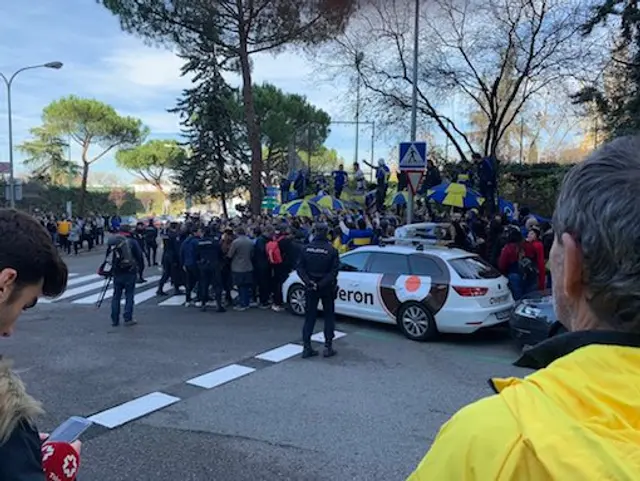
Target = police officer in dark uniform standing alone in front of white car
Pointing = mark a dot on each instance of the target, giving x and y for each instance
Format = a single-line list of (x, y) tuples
[(318, 268)]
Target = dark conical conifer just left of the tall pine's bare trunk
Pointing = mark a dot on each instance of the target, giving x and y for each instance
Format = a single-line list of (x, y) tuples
[(219, 161)]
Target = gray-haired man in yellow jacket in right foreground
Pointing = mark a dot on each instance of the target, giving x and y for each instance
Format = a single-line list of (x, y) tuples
[(578, 417)]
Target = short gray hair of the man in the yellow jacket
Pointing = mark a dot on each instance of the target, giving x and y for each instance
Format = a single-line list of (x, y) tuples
[(599, 206)]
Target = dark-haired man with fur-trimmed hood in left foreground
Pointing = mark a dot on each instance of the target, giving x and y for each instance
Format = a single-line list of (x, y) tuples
[(30, 267)]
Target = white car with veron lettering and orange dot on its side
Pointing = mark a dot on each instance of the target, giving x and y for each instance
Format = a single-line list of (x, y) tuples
[(425, 290)]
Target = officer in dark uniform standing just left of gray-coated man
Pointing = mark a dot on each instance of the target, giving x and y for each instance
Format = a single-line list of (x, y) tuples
[(209, 258)]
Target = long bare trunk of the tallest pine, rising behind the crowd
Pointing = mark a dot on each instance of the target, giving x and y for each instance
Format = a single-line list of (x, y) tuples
[(252, 127)]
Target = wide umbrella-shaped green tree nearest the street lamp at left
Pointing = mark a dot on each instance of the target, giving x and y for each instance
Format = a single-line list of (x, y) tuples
[(91, 124)]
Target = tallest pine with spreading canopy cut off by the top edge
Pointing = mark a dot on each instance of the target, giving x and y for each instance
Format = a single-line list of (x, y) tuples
[(230, 31)]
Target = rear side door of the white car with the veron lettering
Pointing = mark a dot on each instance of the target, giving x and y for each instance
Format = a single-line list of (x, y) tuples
[(384, 269)]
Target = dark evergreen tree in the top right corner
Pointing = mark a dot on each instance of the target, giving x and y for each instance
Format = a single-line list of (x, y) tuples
[(617, 99)]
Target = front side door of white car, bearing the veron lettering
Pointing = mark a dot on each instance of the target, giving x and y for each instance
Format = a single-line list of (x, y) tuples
[(352, 269)]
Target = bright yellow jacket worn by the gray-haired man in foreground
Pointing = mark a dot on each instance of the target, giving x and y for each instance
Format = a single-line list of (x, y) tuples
[(576, 420)]
